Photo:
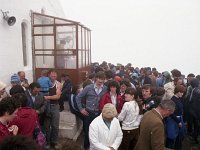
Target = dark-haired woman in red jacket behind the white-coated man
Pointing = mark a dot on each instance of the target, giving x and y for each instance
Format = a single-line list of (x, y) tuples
[(112, 96)]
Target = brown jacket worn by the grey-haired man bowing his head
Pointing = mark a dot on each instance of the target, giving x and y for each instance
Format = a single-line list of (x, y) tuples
[(152, 135)]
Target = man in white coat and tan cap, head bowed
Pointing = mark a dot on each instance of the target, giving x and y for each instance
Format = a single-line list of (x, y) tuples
[(105, 132)]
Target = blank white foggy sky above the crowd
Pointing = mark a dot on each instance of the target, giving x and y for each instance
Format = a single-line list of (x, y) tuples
[(161, 33)]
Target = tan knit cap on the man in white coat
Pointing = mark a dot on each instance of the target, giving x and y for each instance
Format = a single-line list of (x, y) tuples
[(109, 111)]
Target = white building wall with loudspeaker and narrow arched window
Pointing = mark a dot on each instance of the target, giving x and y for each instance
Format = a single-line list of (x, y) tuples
[(11, 54)]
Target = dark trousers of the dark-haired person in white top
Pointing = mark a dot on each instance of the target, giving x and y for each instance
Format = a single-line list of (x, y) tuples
[(129, 140)]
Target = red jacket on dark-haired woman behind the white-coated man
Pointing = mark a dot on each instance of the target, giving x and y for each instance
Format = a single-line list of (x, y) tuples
[(106, 98)]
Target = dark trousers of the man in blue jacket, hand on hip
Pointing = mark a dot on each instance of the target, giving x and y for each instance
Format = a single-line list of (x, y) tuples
[(86, 123)]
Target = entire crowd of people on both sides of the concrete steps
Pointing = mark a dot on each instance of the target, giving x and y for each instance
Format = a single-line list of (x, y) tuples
[(121, 107)]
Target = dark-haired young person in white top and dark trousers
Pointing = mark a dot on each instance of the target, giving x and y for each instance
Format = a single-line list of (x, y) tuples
[(130, 117)]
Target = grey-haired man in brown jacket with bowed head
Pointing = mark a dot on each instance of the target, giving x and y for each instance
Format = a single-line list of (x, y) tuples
[(152, 132)]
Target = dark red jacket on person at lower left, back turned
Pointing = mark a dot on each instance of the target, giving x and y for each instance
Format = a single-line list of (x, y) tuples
[(26, 121)]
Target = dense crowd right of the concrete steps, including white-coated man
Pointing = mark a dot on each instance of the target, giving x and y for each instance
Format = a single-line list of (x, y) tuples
[(152, 108)]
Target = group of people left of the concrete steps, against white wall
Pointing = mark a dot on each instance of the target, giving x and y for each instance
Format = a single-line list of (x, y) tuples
[(37, 107)]
